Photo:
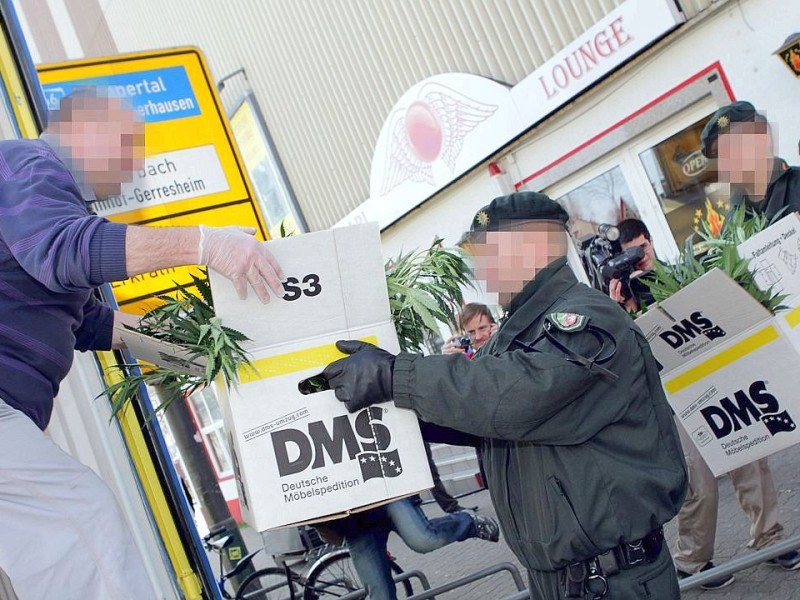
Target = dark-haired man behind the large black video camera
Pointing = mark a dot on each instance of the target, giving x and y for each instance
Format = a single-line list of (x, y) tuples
[(631, 293)]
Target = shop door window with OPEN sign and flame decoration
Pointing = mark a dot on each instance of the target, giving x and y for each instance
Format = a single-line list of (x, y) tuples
[(684, 181)]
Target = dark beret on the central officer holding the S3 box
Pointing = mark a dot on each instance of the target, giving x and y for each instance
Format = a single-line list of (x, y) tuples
[(520, 206)]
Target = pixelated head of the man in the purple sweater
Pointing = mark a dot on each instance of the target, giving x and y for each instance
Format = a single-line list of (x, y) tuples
[(106, 142)]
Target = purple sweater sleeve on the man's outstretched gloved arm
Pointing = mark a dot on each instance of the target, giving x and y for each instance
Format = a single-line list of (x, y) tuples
[(44, 222)]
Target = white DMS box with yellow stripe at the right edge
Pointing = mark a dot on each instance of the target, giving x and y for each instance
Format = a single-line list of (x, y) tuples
[(728, 370)]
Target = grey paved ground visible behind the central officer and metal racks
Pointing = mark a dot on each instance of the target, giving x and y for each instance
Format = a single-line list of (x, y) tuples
[(762, 581)]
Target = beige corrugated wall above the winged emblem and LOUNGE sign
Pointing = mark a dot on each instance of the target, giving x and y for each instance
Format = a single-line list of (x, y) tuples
[(326, 73)]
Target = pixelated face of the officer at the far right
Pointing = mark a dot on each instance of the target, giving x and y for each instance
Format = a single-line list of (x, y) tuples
[(744, 155)]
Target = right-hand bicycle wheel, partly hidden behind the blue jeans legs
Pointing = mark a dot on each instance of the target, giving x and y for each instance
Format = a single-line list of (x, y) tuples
[(335, 575)]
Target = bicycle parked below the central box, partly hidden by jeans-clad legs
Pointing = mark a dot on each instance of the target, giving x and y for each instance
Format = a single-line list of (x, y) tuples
[(328, 572)]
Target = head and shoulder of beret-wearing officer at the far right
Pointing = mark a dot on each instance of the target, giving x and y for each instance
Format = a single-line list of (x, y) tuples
[(740, 141)]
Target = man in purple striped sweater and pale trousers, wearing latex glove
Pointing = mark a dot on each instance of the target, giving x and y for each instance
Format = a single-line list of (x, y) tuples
[(61, 532)]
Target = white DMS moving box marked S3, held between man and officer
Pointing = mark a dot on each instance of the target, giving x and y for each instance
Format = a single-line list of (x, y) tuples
[(303, 458)]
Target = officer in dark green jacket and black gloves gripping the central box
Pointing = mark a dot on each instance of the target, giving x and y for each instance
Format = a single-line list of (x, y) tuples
[(583, 460)]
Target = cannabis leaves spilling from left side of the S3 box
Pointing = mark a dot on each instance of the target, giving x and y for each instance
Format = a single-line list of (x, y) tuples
[(187, 320)]
